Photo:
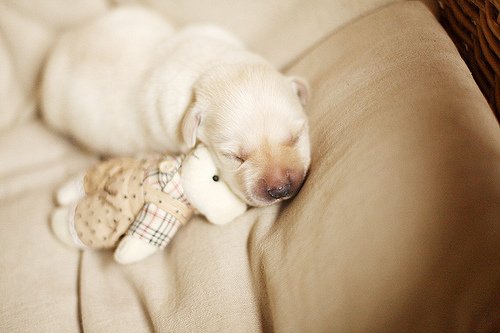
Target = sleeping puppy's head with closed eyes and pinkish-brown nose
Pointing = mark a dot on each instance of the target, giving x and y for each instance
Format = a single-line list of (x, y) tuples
[(252, 119)]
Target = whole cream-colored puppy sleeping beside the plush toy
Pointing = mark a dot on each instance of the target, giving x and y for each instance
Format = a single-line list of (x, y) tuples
[(128, 82)]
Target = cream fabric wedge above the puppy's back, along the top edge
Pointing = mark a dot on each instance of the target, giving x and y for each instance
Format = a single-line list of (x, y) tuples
[(279, 30)]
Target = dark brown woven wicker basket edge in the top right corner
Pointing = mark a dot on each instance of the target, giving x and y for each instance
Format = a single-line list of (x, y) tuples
[(474, 27)]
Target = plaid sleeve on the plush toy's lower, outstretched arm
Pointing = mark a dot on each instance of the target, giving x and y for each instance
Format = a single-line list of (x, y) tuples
[(154, 225)]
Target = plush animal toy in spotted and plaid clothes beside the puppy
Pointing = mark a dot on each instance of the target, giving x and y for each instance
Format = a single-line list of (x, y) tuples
[(141, 203)]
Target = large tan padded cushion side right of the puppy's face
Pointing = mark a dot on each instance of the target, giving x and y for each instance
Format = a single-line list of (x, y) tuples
[(394, 228)]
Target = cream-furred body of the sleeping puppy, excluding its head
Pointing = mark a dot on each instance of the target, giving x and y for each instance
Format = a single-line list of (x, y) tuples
[(105, 82)]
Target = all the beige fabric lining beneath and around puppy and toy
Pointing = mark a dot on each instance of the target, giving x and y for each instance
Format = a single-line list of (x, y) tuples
[(396, 228)]
